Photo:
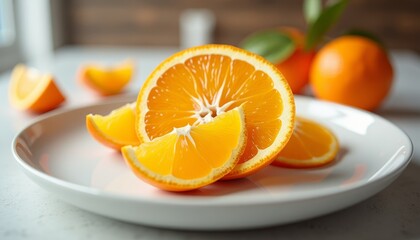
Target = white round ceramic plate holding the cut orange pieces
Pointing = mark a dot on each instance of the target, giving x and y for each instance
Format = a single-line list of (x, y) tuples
[(58, 153)]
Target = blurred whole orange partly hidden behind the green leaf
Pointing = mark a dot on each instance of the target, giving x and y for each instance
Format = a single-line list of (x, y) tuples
[(296, 67)]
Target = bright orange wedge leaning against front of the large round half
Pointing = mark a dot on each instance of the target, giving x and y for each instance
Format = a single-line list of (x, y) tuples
[(191, 156)]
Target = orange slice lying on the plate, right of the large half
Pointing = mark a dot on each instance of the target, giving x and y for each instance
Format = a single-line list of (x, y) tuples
[(311, 145)]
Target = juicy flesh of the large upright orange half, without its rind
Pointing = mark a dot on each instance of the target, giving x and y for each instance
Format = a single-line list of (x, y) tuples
[(204, 84)]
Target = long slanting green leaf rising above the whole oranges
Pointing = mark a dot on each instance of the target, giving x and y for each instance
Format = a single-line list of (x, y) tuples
[(324, 22)]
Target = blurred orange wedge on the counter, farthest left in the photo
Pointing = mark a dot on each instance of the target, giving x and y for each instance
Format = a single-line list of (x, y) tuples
[(34, 91)]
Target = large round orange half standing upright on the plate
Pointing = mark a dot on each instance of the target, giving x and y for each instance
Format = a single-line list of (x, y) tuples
[(200, 83)]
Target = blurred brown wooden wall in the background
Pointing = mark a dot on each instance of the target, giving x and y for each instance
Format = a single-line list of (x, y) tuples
[(156, 22)]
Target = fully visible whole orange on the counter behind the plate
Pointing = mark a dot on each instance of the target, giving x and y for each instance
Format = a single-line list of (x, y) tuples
[(352, 70)]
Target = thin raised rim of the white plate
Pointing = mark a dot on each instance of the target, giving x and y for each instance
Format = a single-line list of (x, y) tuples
[(203, 200)]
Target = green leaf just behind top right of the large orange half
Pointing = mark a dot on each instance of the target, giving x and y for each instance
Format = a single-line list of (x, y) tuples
[(273, 45)]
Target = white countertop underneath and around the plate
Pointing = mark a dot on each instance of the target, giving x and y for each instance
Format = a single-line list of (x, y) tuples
[(29, 212)]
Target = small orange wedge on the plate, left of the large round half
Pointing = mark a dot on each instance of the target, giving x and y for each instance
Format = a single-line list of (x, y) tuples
[(115, 129)]
